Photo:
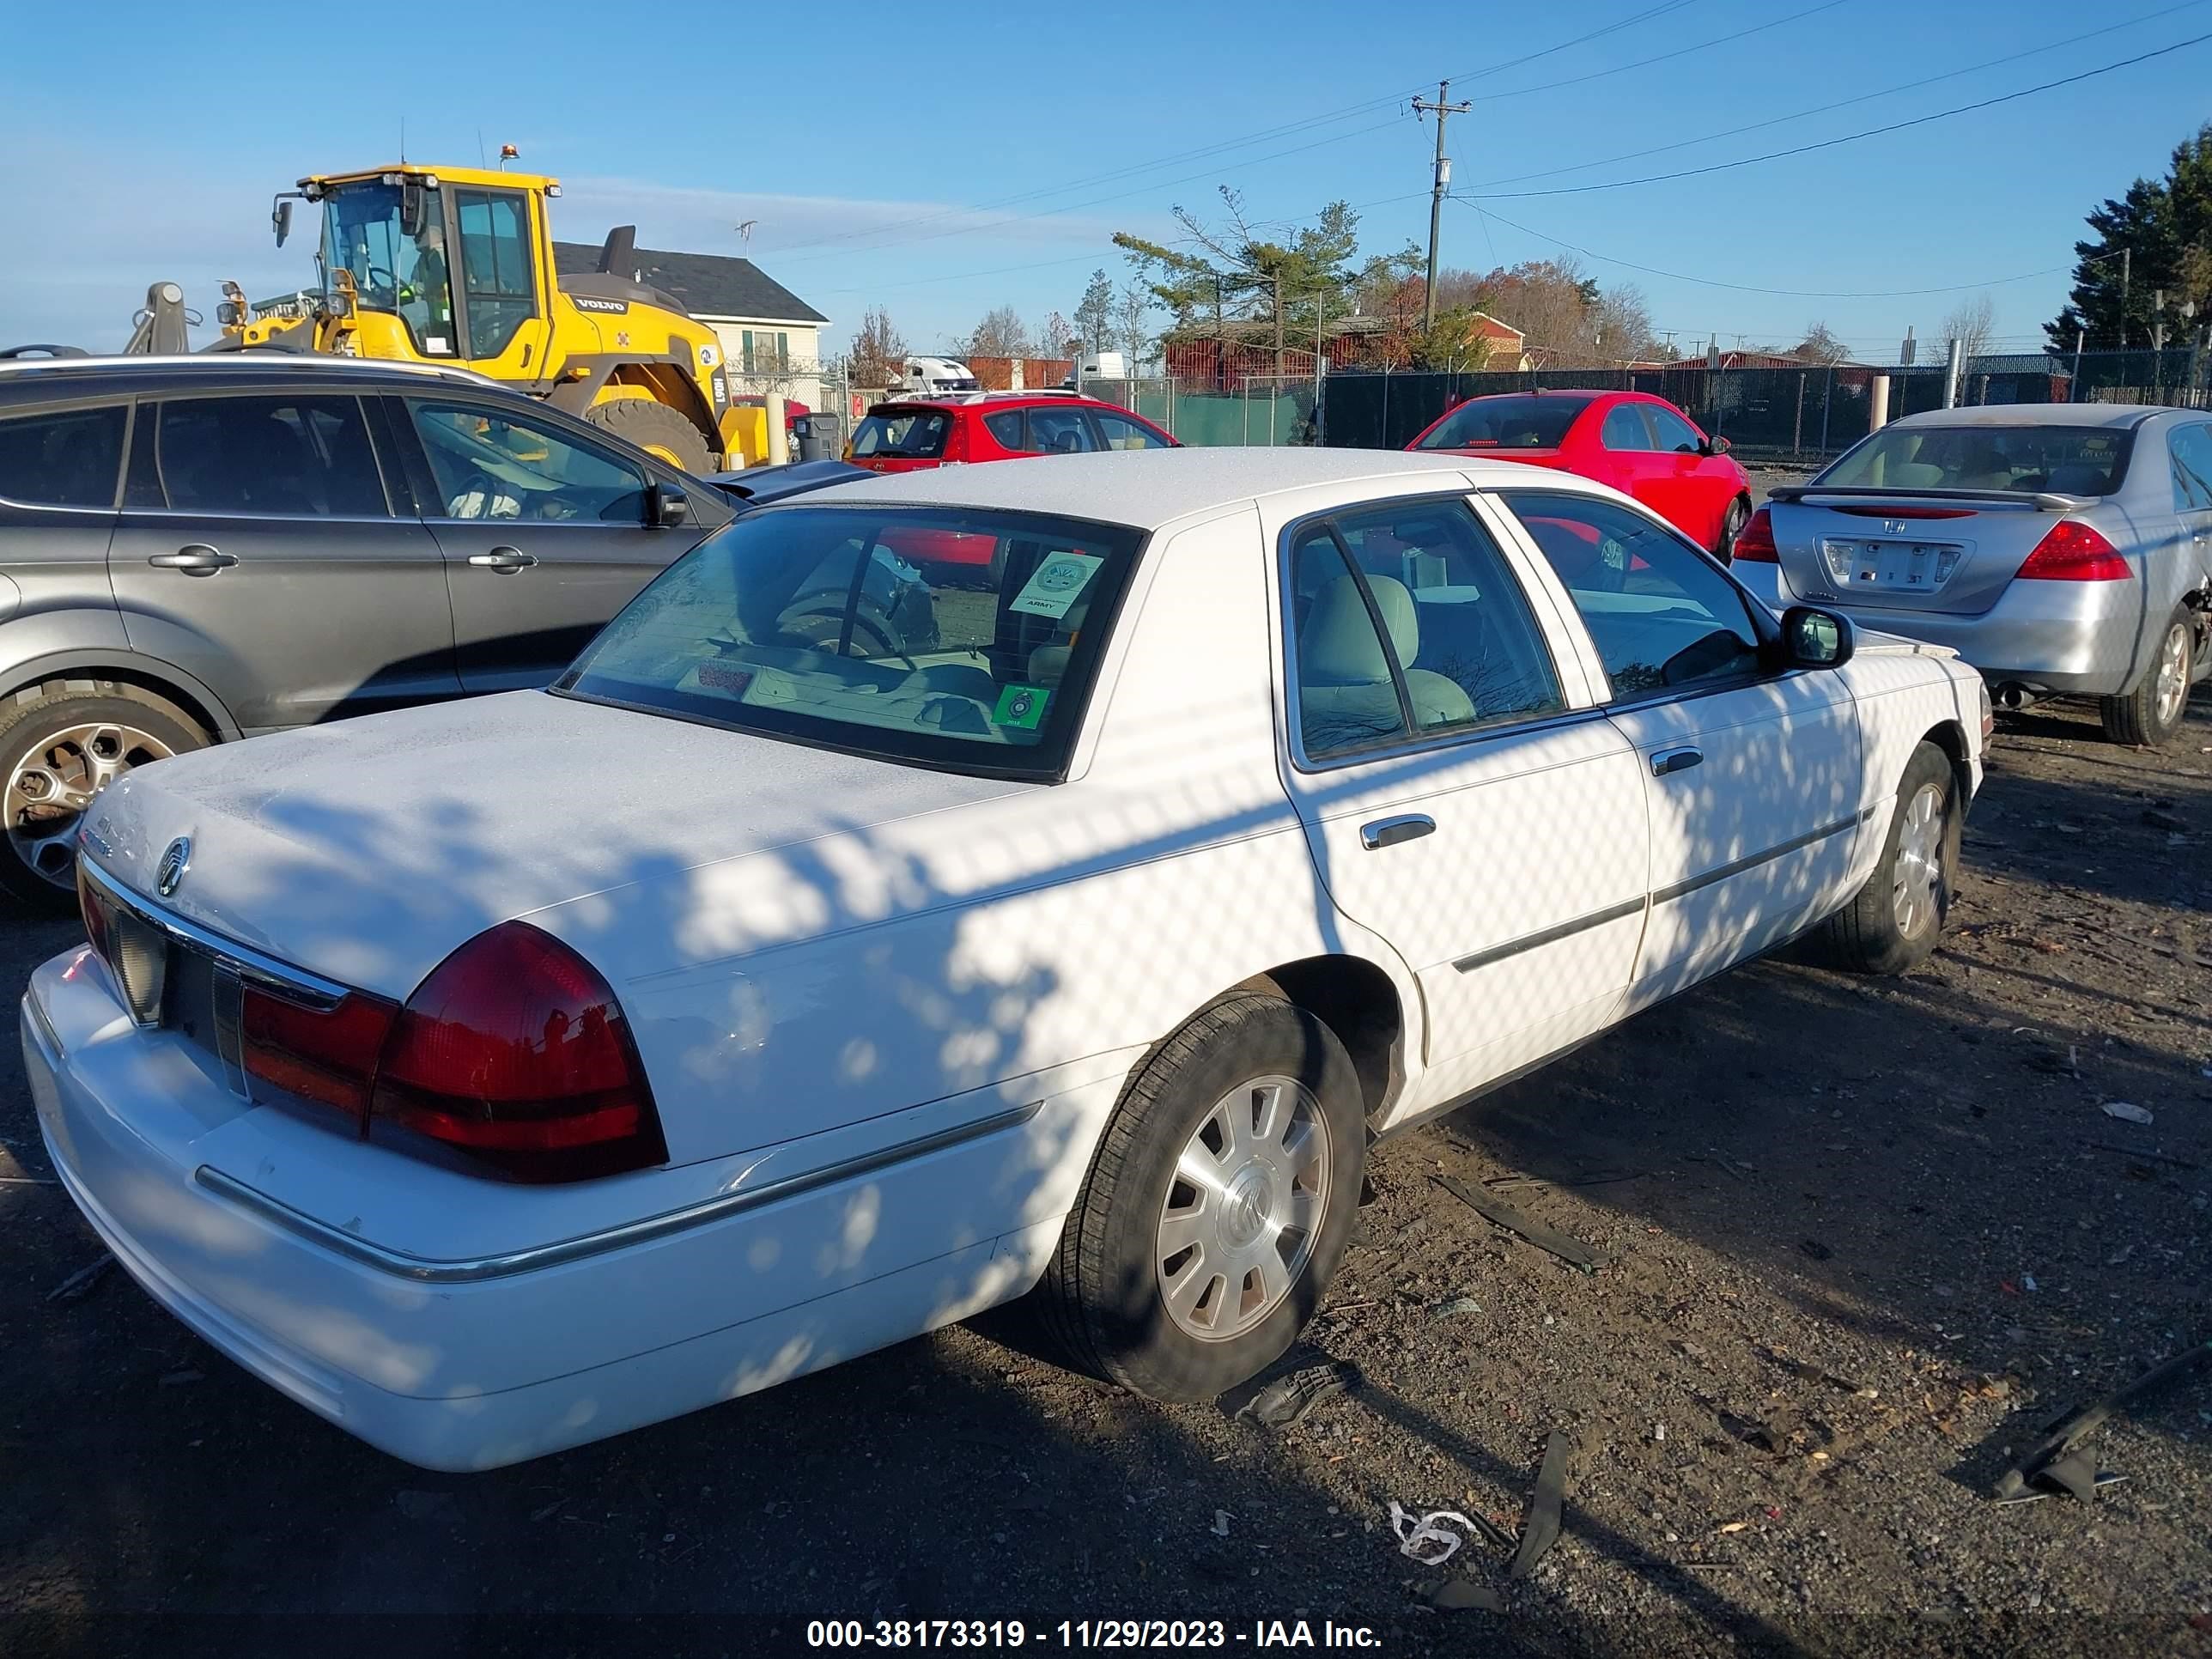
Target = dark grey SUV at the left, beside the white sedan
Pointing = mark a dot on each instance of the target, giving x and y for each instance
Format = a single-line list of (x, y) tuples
[(213, 547)]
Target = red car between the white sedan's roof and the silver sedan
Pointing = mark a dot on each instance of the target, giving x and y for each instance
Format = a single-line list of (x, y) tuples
[(1634, 441)]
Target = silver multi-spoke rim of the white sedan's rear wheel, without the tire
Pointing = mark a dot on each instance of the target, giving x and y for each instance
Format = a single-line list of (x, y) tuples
[(1244, 1209)]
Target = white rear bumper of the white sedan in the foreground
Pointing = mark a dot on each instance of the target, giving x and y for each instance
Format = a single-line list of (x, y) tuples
[(490, 1370)]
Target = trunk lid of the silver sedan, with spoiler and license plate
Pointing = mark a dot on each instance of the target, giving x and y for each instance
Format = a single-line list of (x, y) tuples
[(1948, 552)]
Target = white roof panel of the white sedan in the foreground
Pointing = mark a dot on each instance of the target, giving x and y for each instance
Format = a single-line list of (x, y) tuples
[(1151, 488)]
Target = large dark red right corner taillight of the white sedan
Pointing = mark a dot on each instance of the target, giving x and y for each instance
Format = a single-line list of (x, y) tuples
[(517, 1050)]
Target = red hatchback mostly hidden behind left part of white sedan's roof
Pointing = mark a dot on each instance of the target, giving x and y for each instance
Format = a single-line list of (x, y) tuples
[(994, 426)]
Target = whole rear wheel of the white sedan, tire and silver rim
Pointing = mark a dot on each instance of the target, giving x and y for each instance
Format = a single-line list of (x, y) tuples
[(1218, 1204)]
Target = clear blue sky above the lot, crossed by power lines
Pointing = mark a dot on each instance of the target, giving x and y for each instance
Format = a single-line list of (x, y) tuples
[(943, 160)]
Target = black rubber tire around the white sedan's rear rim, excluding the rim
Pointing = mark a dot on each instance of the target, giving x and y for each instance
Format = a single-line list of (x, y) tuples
[(1103, 1297)]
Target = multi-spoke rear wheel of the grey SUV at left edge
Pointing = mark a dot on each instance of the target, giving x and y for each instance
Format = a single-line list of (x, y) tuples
[(63, 744)]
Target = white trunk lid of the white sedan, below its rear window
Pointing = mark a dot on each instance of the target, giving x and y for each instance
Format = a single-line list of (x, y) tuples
[(368, 851)]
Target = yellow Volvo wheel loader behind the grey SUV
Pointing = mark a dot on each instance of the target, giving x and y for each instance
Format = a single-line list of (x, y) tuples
[(457, 267)]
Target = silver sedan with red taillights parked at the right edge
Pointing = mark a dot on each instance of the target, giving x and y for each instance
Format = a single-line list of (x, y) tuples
[(2063, 550)]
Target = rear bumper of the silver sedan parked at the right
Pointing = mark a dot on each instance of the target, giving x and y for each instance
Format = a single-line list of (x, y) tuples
[(2076, 638)]
